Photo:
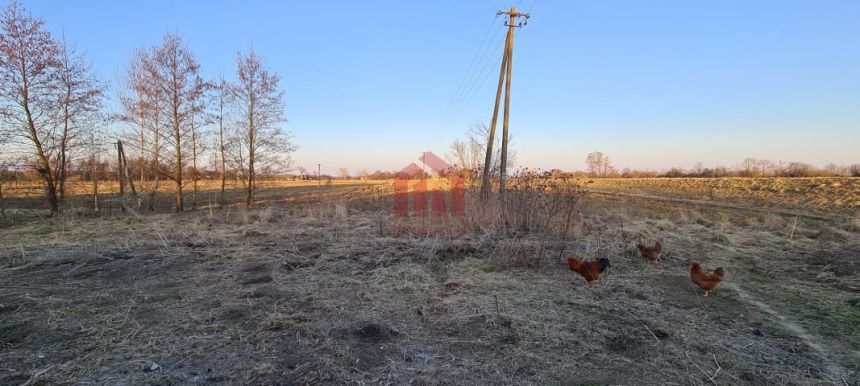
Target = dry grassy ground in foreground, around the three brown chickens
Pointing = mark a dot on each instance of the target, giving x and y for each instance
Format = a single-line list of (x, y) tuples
[(325, 286)]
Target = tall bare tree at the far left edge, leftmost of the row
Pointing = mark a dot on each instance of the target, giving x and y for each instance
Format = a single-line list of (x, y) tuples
[(28, 89)]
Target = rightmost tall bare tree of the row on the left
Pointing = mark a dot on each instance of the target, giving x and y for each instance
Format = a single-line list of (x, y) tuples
[(262, 145)]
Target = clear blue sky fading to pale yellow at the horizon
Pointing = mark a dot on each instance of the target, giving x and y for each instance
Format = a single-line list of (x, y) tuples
[(652, 84)]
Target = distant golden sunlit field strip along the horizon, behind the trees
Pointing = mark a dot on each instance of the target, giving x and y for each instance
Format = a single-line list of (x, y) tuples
[(815, 194)]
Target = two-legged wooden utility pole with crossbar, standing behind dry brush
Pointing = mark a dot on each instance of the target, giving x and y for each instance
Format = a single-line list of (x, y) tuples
[(504, 79)]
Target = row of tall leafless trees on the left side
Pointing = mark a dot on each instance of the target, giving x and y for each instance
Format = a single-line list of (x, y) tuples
[(180, 126)]
